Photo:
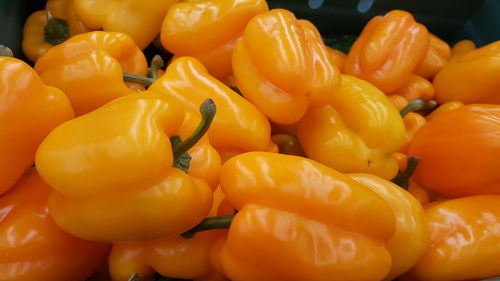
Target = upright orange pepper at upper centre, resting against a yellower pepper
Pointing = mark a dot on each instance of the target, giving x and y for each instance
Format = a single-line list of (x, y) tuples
[(282, 66)]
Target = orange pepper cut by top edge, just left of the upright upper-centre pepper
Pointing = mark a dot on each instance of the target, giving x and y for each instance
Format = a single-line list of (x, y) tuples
[(188, 30)]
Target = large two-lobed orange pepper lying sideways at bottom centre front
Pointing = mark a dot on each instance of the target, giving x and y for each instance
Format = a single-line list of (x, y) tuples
[(307, 214)]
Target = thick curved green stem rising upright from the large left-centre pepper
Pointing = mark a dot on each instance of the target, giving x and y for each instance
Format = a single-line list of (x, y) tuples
[(207, 110)]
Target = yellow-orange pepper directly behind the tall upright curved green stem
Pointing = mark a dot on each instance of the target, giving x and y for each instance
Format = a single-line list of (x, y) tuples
[(237, 125)]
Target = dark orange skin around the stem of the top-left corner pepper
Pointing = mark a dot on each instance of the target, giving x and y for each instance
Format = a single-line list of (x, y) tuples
[(34, 44)]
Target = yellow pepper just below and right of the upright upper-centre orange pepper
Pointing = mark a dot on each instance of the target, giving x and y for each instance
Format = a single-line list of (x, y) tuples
[(357, 132)]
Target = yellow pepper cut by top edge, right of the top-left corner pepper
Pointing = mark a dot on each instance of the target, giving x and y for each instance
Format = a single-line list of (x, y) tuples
[(140, 19)]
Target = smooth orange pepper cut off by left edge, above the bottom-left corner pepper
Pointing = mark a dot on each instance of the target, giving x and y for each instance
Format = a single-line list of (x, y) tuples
[(29, 111)]
